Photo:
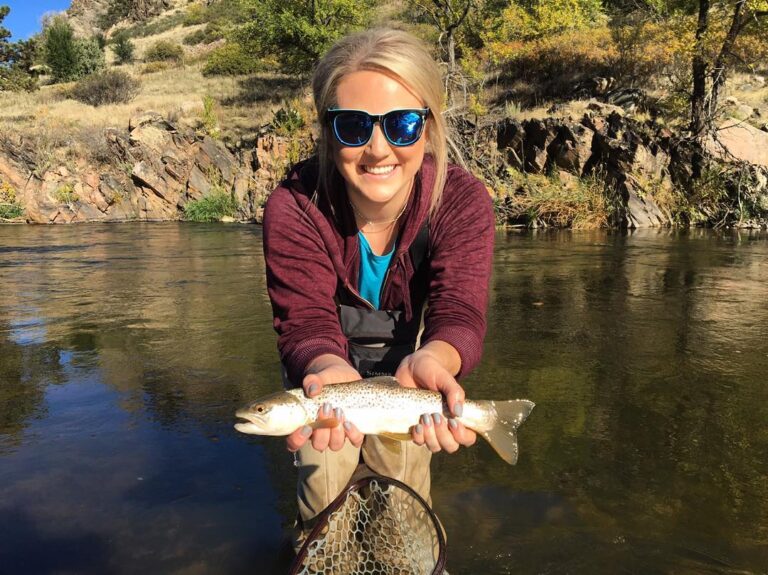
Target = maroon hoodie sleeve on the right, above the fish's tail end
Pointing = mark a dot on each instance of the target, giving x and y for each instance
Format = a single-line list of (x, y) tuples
[(461, 242)]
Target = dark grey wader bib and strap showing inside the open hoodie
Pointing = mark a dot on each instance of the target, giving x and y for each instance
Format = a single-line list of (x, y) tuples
[(380, 339)]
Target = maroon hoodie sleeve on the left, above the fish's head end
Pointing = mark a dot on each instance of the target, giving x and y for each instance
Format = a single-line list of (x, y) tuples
[(301, 281)]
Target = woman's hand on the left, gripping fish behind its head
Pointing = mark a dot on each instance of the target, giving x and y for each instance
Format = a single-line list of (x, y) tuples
[(326, 370)]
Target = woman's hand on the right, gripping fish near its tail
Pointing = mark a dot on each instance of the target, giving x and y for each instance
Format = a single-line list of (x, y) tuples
[(426, 368)]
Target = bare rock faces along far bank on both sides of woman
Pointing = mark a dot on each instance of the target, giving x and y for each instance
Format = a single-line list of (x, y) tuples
[(152, 170)]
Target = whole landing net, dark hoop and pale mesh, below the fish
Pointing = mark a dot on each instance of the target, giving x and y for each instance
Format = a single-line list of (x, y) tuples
[(377, 526)]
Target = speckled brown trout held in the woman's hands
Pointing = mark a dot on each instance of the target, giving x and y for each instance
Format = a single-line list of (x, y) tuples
[(381, 406)]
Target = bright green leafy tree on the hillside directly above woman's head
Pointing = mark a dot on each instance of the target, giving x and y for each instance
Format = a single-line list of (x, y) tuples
[(297, 32)]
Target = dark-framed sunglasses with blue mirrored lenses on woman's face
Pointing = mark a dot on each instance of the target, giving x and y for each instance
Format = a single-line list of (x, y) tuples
[(354, 128)]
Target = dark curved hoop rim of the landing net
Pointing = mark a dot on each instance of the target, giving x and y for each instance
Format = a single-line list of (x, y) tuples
[(324, 518)]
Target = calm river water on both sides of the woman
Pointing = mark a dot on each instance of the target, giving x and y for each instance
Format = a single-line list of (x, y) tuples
[(126, 349)]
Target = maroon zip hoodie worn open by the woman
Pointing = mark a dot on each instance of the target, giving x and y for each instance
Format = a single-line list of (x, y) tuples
[(312, 254)]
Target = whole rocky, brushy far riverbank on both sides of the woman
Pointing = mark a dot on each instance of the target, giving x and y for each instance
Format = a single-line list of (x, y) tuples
[(602, 169)]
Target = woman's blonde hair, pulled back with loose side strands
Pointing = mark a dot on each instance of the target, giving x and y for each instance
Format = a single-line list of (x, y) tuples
[(394, 53)]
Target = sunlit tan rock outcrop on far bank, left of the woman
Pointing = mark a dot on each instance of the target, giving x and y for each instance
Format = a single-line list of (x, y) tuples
[(156, 170)]
